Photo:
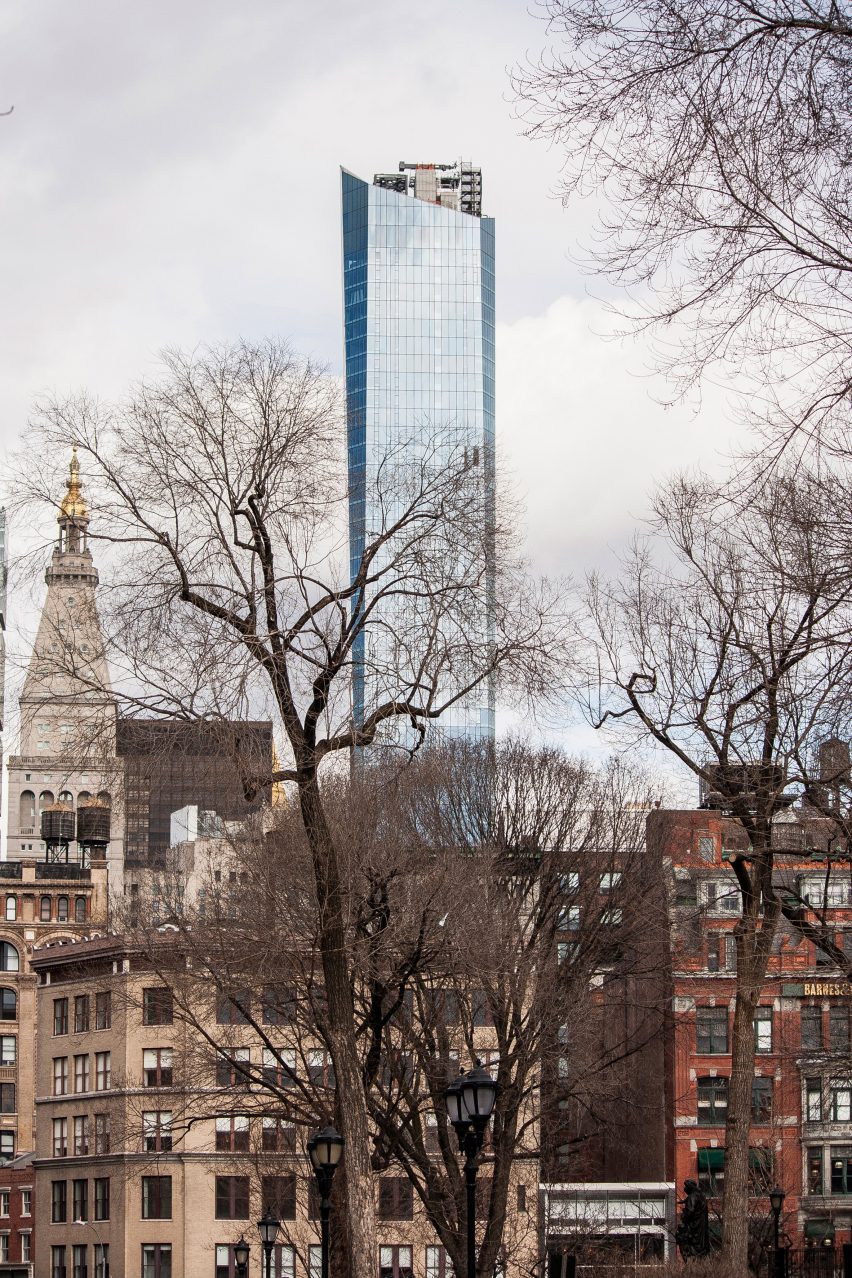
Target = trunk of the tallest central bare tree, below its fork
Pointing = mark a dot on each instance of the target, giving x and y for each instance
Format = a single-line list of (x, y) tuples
[(352, 1104)]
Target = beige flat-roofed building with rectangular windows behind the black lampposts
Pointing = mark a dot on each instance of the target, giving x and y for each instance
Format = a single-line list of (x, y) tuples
[(156, 1151)]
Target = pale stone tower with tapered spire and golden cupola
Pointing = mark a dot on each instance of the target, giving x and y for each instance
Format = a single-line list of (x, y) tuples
[(68, 711)]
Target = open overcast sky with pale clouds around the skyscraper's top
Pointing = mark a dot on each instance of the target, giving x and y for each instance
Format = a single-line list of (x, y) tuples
[(172, 174)]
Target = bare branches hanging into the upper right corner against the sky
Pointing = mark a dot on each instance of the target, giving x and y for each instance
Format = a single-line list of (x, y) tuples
[(717, 136)]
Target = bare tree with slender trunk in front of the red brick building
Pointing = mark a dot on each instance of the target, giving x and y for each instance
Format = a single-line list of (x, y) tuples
[(733, 652)]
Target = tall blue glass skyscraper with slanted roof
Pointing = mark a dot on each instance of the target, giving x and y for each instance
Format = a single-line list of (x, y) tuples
[(420, 351)]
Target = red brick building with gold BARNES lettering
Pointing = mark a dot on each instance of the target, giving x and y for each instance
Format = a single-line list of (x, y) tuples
[(802, 1112)]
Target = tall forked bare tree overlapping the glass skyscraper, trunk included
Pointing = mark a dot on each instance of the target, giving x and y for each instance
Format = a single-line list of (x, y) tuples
[(222, 512)]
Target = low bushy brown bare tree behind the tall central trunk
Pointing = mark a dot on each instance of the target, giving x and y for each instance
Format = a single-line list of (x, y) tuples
[(494, 899)]
